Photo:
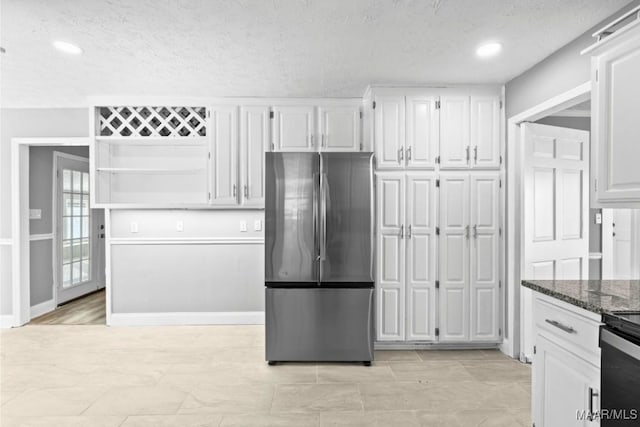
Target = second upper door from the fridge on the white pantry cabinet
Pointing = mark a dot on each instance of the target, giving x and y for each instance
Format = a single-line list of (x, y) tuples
[(423, 131)]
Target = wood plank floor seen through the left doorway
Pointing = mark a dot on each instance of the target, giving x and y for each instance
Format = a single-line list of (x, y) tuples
[(88, 310)]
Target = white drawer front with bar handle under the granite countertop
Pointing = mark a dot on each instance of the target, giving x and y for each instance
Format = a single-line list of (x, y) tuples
[(572, 330)]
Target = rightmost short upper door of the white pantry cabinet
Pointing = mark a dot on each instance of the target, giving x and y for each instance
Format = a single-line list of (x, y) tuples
[(485, 131)]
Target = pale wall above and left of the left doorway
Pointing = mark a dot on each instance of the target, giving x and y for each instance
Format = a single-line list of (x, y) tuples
[(27, 122)]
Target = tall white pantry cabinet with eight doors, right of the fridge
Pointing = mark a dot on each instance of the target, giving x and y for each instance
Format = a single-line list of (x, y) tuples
[(438, 228)]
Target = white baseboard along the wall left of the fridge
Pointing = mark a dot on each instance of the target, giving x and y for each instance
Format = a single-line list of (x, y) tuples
[(166, 319)]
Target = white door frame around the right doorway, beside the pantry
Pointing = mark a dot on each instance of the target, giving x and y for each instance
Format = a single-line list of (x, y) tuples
[(512, 342)]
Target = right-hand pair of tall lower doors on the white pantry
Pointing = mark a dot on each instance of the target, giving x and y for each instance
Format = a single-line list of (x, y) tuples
[(469, 261)]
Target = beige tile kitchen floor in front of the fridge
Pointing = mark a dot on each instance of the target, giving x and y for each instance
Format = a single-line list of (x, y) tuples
[(216, 376)]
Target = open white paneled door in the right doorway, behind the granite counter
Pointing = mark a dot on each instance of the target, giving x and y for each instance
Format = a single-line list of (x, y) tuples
[(556, 208)]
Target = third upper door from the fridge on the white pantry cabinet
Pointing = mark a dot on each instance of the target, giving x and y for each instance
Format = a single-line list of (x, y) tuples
[(454, 132)]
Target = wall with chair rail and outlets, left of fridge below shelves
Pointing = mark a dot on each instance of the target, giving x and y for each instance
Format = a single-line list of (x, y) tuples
[(209, 267)]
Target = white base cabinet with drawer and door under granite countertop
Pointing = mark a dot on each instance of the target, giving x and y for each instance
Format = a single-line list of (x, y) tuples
[(566, 365)]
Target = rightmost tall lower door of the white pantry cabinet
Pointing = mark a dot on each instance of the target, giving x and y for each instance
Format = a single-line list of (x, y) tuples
[(485, 256)]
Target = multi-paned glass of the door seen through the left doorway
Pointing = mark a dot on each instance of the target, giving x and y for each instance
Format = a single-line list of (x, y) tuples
[(76, 241)]
